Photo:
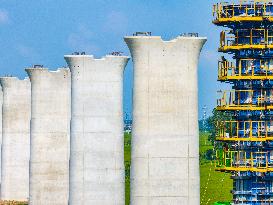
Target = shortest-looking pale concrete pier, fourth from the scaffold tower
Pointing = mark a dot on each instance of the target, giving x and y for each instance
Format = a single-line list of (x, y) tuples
[(16, 139)]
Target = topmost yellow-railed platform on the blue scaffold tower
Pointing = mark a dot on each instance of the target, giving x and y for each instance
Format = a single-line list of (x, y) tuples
[(244, 10)]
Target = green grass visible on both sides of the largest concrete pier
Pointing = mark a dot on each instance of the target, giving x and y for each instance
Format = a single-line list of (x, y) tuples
[(215, 186)]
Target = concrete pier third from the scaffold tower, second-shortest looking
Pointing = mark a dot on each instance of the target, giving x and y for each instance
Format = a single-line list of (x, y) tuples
[(50, 132)]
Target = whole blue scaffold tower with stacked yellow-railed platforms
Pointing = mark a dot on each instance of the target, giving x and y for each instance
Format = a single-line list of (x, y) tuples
[(245, 146)]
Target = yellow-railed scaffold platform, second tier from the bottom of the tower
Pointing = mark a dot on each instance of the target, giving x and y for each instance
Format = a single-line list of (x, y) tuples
[(245, 131)]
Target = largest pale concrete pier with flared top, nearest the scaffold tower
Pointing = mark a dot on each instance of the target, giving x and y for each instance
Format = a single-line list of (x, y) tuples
[(165, 145)]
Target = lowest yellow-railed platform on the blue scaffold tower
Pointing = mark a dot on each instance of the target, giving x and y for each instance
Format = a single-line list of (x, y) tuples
[(243, 161)]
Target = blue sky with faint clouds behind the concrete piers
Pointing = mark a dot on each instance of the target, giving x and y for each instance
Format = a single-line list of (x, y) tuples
[(42, 31)]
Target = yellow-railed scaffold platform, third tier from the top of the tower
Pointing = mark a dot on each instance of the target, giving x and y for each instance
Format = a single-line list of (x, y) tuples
[(245, 69)]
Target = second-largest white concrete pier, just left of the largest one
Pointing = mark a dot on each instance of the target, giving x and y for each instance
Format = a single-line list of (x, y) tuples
[(96, 157)]
